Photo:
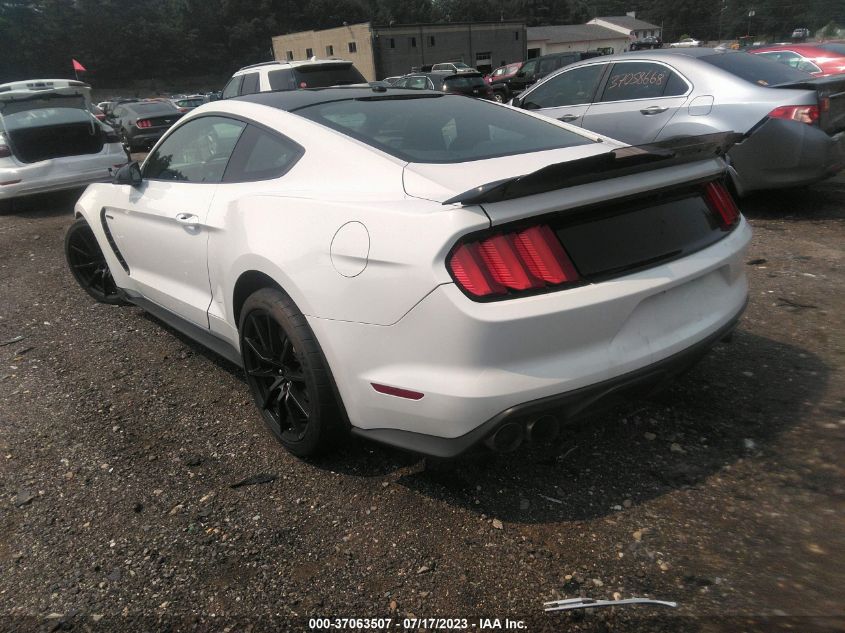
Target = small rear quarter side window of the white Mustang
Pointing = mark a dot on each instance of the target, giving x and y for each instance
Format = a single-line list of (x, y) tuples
[(261, 155)]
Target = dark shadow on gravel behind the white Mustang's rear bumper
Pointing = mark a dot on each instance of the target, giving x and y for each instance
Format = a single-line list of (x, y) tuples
[(738, 400)]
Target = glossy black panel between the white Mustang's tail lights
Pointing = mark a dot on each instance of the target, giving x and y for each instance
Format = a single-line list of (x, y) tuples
[(609, 241)]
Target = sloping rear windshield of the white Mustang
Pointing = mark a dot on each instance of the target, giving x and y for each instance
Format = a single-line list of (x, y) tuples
[(441, 129)]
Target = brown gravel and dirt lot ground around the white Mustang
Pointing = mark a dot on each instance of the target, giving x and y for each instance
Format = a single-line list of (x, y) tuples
[(120, 441)]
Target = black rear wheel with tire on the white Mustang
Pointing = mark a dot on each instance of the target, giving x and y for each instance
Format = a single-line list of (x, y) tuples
[(287, 375)]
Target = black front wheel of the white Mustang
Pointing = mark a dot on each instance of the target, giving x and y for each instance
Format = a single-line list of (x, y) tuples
[(88, 264)]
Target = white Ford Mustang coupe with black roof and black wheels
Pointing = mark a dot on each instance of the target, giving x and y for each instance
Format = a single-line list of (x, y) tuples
[(428, 271)]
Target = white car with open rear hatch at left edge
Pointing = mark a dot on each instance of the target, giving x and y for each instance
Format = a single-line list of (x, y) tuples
[(50, 140)]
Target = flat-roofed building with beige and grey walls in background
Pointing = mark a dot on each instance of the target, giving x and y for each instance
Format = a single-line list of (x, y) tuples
[(383, 51)]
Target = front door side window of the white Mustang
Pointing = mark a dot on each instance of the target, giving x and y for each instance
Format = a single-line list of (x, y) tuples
[(197, 151)]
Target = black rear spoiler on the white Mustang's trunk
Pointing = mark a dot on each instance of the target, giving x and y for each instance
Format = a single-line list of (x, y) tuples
[(619, 162)]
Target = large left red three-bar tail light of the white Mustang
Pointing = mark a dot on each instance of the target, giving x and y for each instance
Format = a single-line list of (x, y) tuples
[(514, 261)]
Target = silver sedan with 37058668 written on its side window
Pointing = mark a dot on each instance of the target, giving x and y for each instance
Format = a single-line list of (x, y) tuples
[(793, 123)]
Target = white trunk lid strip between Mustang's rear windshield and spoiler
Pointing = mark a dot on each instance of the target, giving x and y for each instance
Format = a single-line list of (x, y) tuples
[(441, 181)]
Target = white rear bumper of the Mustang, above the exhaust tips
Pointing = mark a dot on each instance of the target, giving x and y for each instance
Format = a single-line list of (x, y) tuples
[(481, 365)]
